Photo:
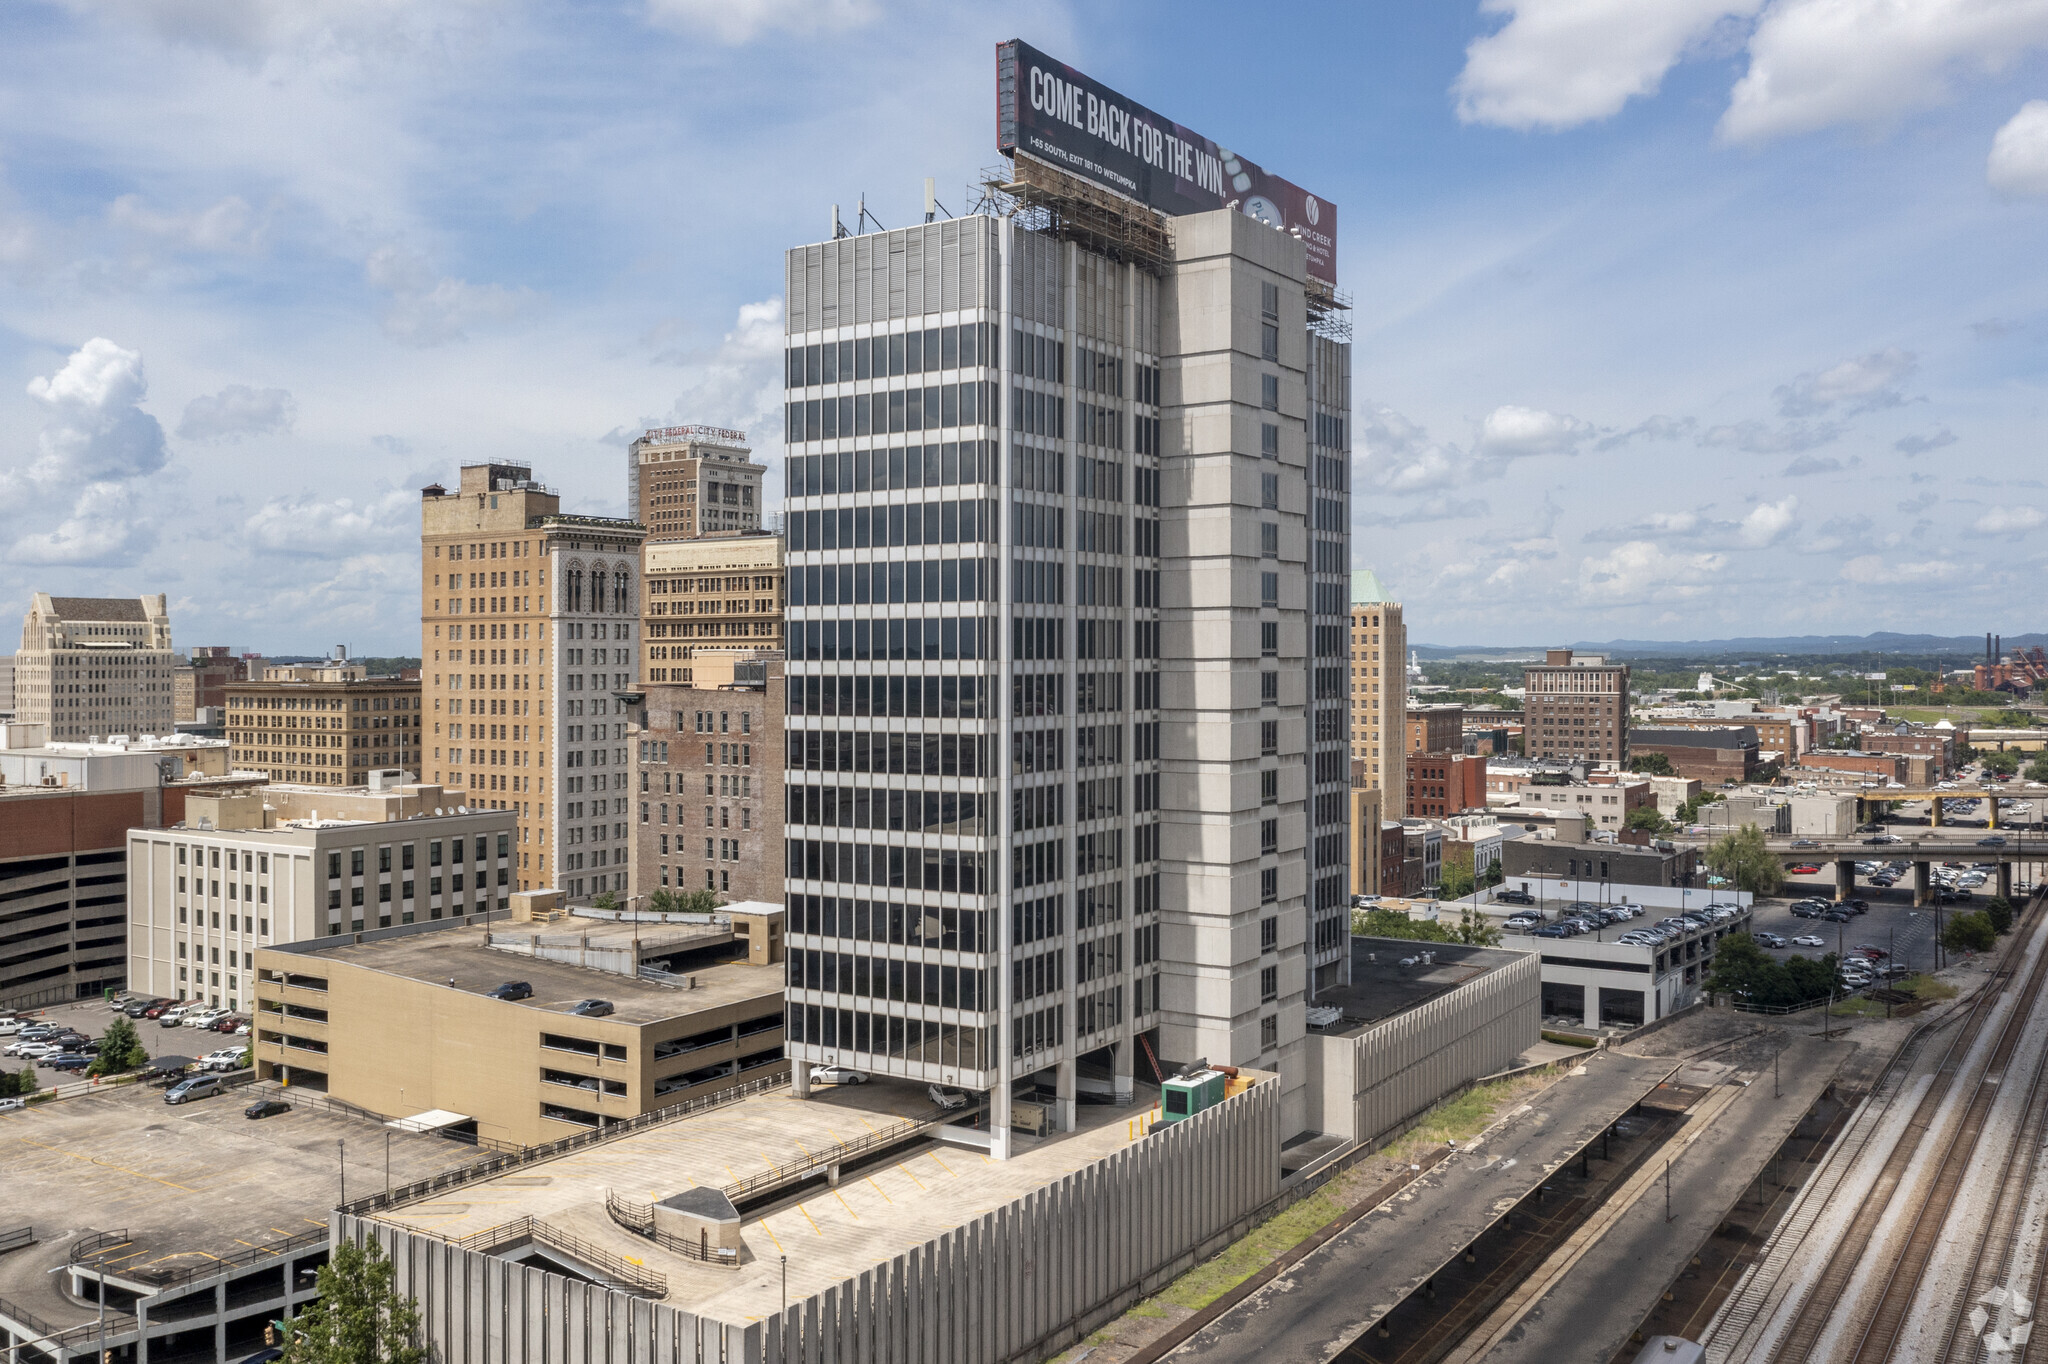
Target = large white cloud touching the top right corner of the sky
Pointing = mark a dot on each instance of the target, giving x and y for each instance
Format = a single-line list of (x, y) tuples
[(1820, 65)]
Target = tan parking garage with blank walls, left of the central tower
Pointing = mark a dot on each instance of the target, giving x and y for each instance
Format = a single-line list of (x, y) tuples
[(404, 1023)]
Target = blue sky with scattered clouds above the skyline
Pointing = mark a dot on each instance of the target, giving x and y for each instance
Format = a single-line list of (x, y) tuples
[(1674, 318)]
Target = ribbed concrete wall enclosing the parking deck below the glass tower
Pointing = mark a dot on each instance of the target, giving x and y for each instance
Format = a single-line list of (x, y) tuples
[(1019, 1283)]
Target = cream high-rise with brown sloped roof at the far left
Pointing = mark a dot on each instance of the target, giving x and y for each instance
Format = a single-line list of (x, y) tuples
[(95, 667)]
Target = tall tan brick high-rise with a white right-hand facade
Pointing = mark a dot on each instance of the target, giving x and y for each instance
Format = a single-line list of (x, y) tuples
[(529, 658)]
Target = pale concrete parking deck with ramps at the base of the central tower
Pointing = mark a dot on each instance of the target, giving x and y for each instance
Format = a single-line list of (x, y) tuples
[(880, 1211)]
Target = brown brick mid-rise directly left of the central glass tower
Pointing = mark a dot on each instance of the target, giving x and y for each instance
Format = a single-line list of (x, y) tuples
[(712, 787)]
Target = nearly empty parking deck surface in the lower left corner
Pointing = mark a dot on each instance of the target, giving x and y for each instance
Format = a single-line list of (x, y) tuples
[(189, 1183)]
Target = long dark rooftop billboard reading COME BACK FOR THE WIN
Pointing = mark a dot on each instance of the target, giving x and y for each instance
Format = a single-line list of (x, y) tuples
[(1058, 116)]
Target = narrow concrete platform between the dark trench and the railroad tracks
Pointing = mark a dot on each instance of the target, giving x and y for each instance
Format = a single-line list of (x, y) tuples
[(1590, 1312)]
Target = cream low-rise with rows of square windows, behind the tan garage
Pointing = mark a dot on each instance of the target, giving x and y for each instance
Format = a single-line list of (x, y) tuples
[(249, 871)]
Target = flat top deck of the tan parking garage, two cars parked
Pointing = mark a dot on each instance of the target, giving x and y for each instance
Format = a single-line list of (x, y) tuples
[(460, 960)]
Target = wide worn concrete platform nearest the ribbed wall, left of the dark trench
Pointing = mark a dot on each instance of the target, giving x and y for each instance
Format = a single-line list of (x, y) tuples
[(1338, 1291)]
